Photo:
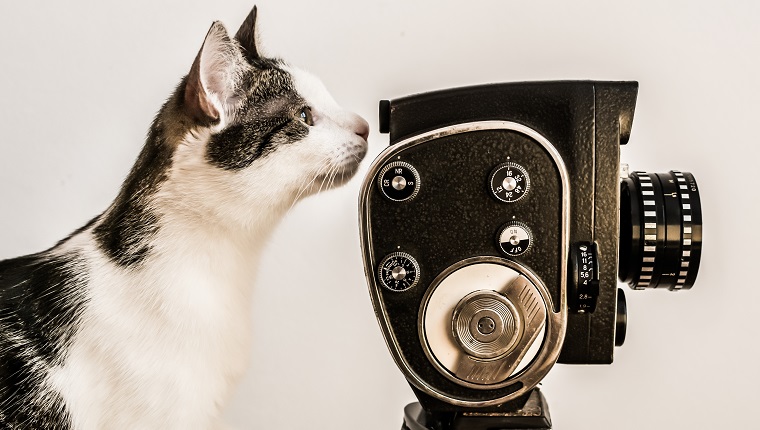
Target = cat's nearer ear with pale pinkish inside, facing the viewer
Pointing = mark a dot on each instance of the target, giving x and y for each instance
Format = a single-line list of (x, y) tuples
[(213, 80)]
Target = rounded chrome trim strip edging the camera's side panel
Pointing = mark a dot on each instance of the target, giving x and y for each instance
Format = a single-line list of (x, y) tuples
[(557, 321)]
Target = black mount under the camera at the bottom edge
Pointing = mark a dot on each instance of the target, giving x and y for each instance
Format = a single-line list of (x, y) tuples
[(534, 414)]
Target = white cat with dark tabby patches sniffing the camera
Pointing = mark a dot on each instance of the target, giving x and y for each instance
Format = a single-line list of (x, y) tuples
[(141, 318)]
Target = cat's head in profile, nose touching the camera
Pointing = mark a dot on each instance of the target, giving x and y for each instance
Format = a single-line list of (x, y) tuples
[(262, 132)]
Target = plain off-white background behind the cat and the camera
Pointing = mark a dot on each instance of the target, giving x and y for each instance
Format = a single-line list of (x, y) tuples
[(81, 80)]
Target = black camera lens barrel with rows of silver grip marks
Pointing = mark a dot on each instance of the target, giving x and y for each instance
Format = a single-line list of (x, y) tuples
[(660, 230)]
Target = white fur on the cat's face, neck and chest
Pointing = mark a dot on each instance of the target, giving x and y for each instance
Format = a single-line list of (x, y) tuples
[(162, 343)]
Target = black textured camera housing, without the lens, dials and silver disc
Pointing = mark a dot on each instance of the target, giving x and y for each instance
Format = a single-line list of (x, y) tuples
[(453, 216)]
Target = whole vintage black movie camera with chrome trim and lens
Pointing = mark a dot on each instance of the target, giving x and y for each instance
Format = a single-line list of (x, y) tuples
[(490, 234)]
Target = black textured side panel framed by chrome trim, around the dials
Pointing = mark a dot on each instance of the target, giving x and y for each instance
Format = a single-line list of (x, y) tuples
[(455, 217)]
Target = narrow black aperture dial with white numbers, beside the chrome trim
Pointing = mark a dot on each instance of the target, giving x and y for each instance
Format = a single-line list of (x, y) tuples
[(584, 277)]
